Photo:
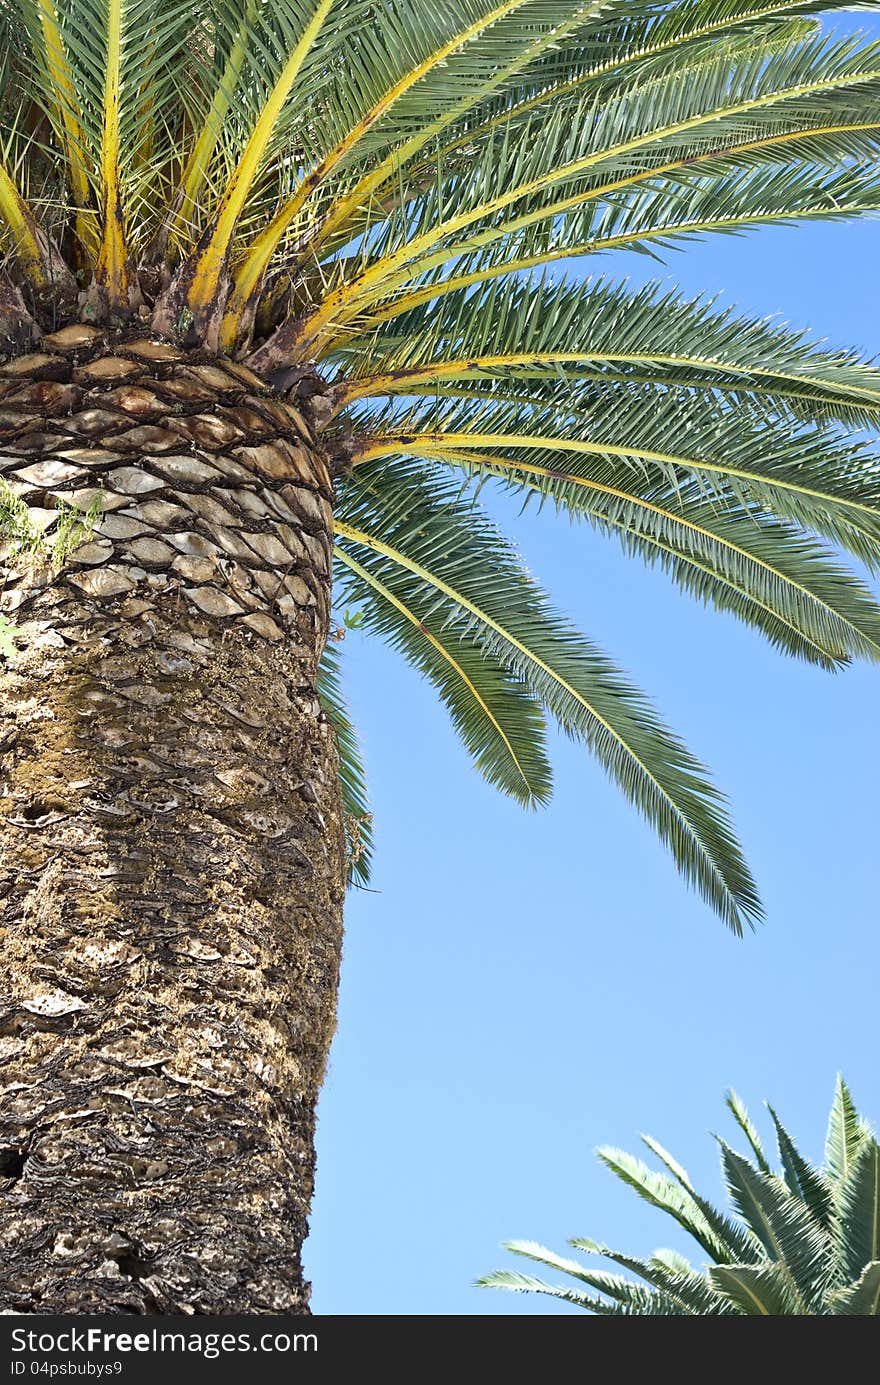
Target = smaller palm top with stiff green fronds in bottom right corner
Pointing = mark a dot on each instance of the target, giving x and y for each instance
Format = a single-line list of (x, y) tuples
[(806, 1240)]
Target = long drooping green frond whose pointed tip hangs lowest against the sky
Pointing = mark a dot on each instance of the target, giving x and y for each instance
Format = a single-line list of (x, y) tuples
[(464, 567)]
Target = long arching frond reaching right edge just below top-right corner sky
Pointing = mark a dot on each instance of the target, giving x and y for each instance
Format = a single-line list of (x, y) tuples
[(653, 129)]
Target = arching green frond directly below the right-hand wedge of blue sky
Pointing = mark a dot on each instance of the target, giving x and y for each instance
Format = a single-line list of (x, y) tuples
[(597, 329)]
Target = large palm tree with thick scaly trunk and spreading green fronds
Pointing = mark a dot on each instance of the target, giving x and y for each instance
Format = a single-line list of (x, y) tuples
[(279, 292)]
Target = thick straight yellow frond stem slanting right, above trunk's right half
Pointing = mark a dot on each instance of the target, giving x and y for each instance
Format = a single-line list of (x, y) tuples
[(211, 261)]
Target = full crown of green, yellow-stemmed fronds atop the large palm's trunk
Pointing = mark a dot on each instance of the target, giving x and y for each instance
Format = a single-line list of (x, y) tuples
[(367, 200)]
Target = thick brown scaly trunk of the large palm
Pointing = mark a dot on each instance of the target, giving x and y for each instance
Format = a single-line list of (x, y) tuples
[(171, 839)]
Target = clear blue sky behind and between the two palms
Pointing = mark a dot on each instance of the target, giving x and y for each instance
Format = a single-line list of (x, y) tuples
[(523, 988)]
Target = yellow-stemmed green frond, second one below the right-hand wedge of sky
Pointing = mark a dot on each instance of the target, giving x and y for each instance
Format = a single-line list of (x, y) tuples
[(806, 477)]
